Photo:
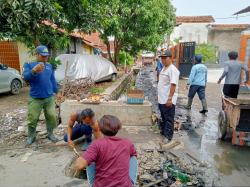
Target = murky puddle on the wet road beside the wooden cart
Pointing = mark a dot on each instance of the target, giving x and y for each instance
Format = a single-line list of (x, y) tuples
[(202, 136)]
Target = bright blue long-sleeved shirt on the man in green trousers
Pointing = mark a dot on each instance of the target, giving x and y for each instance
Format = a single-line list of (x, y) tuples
[(43, 84)]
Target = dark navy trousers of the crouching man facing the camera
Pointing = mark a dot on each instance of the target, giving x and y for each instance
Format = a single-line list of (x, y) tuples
[(80, 130)]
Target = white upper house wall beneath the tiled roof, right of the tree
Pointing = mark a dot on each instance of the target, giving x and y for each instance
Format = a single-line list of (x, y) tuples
[(188, 32)]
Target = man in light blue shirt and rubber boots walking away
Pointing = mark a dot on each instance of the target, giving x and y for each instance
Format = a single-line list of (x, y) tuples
[(197, 83)]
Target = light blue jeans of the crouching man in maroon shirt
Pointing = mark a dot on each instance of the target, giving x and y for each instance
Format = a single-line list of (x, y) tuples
[(133, 168)]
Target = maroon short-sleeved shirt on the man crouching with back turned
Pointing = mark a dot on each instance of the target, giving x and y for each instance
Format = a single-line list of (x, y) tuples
[(112, 156)]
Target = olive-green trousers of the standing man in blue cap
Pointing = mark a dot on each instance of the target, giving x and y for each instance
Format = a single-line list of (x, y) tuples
[(35, 107)]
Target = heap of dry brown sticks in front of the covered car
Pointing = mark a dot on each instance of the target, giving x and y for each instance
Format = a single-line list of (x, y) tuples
[(77, 89)]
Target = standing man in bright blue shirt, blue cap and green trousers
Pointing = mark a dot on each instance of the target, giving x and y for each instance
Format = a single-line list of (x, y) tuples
[(40, 76)]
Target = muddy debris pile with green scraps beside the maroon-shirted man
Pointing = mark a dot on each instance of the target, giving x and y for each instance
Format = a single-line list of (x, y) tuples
[(158, 169)]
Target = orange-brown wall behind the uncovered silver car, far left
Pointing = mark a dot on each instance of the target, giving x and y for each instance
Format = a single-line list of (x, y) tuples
[(9, 54)]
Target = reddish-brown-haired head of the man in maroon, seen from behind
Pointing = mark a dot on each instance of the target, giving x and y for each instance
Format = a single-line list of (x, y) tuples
[(109, 125)]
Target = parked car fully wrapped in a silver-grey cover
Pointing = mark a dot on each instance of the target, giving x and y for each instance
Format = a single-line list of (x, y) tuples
[(84, 65)]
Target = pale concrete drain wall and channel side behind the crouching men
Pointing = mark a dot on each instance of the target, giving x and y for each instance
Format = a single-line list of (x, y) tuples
[(128, 114)]
